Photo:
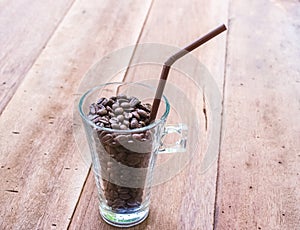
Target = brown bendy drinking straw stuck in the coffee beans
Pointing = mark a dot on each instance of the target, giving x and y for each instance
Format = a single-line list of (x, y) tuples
[(174, 58)]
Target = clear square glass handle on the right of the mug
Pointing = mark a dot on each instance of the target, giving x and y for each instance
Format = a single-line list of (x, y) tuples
[(180, 144)]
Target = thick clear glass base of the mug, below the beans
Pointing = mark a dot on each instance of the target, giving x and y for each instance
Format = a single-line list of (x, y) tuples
[(124, 219)]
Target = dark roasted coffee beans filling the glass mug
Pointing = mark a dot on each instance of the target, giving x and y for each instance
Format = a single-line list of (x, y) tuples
[(119, 152)]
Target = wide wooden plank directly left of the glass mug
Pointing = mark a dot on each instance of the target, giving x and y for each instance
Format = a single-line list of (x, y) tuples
[(43, 169)]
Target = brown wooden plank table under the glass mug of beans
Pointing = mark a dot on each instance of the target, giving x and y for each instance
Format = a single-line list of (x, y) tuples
[(47, 46)]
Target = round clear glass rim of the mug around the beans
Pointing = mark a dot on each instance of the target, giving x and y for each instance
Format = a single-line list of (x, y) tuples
[(145, 128)]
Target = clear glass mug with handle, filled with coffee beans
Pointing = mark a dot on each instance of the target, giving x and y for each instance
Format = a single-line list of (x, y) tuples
[(123, 160)]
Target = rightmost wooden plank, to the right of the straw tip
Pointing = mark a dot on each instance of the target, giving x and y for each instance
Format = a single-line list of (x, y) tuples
[(258, 184)]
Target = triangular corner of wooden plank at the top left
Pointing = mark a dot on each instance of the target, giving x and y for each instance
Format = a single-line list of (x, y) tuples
[(25, 28)]
